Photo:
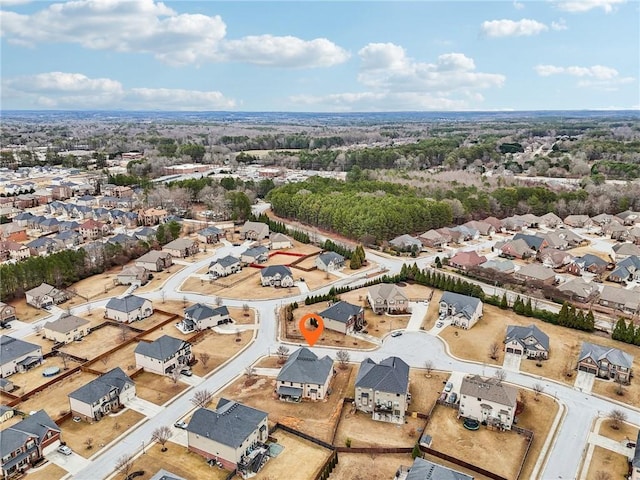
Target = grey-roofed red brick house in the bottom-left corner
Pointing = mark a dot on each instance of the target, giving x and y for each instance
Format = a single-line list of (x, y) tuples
[(27, 442)]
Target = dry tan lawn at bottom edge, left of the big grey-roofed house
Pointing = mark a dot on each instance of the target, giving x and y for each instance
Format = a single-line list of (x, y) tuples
[(177, 460)]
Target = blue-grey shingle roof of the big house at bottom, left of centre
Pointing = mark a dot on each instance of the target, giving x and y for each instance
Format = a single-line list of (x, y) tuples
[(229, 424)]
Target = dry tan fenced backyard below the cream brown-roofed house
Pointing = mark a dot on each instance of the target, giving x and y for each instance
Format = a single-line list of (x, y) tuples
[(450, 437)]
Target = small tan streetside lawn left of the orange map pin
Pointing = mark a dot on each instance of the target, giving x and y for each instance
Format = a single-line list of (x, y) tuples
[(219, 347)]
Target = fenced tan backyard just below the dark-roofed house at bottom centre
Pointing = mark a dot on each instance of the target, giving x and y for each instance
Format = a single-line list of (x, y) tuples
[(365, 432)]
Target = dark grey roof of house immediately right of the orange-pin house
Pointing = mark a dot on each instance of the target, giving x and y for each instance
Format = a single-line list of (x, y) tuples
[(390, 375)]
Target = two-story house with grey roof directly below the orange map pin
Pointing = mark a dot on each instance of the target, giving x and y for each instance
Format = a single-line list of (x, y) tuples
[(304, 375)]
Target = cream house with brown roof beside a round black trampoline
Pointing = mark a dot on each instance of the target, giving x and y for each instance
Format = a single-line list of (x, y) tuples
[(488, 400)]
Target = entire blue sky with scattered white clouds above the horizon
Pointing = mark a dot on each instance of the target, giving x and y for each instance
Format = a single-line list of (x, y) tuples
[(320, 55)]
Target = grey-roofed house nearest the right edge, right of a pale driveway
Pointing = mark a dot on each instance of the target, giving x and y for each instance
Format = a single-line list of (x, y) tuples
[(605, 362)]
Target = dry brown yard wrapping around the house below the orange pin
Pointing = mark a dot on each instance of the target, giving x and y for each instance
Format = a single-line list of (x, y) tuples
[(315, 418)]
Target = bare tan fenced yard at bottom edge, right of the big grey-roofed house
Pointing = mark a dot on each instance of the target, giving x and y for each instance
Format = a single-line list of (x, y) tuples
[(291, 458)]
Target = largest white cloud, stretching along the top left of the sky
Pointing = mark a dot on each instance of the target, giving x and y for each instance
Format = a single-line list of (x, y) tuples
[(147, 26)]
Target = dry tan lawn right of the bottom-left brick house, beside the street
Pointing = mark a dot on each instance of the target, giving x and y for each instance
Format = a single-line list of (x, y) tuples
[(102, 432)]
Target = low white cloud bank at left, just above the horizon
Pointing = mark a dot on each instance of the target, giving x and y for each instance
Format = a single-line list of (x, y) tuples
[(75, 90)]
